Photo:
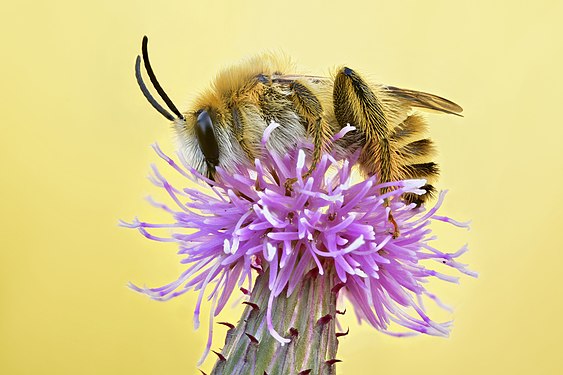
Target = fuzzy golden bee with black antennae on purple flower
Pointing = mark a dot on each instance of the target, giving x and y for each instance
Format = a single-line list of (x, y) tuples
[(225, 127)]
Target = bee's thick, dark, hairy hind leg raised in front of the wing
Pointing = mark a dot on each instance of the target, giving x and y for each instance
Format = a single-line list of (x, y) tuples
[(356, 104)]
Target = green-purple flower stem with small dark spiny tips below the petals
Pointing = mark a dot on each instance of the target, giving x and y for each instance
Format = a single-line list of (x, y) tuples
[(307, 318)]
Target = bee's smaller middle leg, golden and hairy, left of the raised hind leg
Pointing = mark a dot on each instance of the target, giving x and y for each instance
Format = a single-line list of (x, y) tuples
[(310, 109)]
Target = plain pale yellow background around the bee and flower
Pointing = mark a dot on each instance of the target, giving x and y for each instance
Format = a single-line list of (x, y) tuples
[(74, 150)]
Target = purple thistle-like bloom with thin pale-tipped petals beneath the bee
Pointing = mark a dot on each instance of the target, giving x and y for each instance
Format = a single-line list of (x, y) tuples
[(247, 221)]
